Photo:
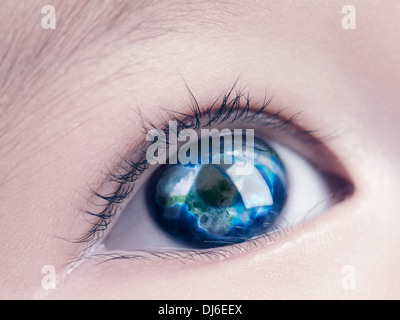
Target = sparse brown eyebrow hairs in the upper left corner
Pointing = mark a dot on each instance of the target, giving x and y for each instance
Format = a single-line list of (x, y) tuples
[(34, 62)]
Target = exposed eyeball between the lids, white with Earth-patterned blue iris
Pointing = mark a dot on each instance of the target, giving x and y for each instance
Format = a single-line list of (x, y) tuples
[(218, 190)]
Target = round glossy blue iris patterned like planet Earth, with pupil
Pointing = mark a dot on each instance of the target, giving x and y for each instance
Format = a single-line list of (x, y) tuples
[(206, 205)]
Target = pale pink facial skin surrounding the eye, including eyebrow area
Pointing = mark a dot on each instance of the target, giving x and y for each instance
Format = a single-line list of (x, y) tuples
[(70, 108)]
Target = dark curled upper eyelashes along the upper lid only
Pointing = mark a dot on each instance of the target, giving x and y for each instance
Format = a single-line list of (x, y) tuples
[(129, 170)]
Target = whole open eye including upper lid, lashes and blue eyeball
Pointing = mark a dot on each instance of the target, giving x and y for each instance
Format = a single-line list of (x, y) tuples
[(219, 180)]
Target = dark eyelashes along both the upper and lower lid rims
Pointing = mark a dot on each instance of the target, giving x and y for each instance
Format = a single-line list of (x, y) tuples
[(124, 177)]
